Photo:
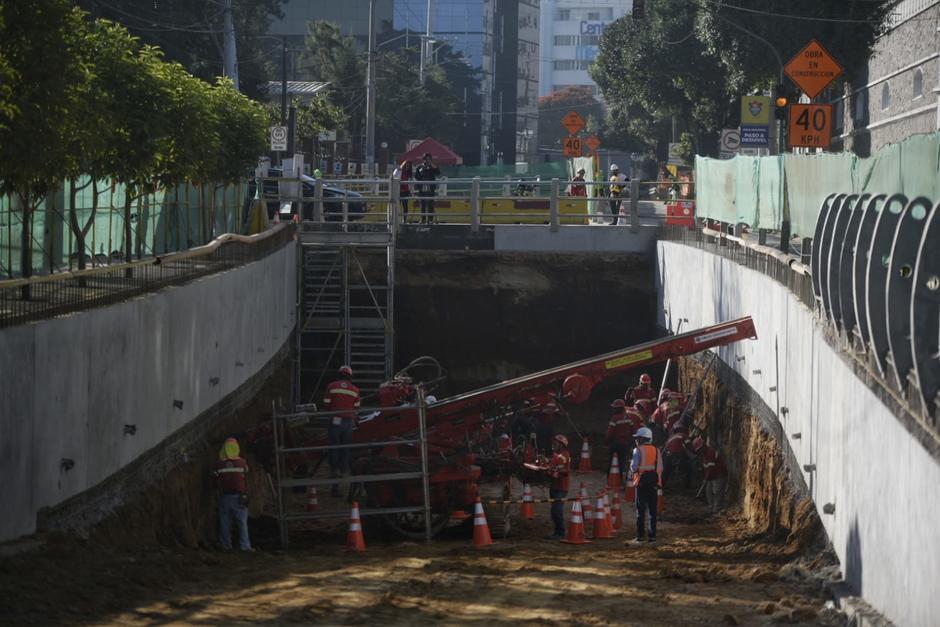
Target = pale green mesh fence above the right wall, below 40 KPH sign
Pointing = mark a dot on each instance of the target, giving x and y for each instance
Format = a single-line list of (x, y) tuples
[(759, 191)]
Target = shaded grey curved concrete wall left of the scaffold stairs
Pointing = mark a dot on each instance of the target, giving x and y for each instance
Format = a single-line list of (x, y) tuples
[(68, 386)]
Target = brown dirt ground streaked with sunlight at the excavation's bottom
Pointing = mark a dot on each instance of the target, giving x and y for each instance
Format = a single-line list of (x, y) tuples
[(703, 571)]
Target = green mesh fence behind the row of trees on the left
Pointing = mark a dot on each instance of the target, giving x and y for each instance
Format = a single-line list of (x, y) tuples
[(165, 221)]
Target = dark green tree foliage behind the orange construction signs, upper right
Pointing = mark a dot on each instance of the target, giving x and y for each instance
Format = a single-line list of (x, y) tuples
[(691, 60)]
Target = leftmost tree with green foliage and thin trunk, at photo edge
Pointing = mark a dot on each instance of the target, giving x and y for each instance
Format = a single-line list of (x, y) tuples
[(39, 39)]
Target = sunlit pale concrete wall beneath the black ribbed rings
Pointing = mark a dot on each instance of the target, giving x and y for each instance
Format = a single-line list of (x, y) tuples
[(882, 481)]
